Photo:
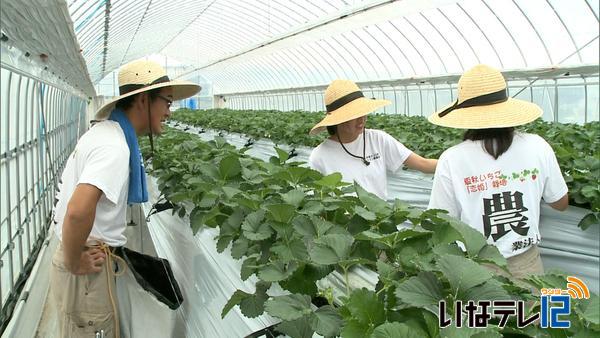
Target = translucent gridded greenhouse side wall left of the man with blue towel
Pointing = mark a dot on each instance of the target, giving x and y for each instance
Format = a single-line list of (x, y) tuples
[(40, 125)]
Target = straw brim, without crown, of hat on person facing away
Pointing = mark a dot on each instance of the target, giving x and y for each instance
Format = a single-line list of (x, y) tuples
[(510, 113)]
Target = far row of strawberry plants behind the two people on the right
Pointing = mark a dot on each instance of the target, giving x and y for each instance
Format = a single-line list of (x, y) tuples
[(577, 148)]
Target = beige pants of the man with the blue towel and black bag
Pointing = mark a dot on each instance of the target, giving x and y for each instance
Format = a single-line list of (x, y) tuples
[(82, 302)]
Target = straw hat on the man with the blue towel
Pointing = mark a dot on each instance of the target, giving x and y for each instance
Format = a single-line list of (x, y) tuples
[(141, 76)]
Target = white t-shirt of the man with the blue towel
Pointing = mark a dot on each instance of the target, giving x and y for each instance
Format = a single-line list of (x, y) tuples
[(101, 158)]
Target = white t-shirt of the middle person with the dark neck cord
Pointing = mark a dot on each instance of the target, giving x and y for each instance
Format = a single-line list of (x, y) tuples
[(383, 152)]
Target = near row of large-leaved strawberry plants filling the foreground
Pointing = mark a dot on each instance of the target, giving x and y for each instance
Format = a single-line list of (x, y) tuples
[(293, 227)]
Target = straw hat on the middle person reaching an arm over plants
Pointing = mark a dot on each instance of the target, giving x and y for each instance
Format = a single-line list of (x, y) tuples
[(344, 102)]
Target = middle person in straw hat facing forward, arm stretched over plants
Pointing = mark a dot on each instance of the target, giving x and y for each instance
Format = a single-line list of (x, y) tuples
[(359, 154)]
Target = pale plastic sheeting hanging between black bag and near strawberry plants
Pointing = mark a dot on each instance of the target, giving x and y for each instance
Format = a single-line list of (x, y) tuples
[(207, 278)]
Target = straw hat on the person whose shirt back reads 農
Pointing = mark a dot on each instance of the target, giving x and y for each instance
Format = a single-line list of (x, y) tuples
[(483, 103)]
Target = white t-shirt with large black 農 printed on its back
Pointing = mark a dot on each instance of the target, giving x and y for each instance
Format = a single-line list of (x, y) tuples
[(500, 198)]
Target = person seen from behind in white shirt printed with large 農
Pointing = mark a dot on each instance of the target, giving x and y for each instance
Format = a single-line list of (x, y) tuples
[(495, 179)]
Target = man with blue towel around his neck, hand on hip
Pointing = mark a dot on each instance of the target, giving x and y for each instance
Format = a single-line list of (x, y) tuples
[(102, 176)]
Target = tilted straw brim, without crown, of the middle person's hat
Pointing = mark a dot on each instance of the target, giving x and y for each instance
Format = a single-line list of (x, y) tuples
[(350, 111)]
